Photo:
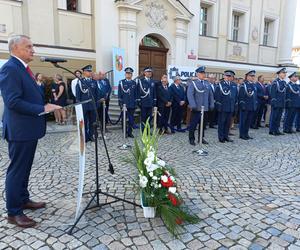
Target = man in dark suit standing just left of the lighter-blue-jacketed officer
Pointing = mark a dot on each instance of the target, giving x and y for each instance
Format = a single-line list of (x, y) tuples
[(178, 101)]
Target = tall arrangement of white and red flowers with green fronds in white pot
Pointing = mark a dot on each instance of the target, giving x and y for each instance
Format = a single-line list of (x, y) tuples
[(157, 185)]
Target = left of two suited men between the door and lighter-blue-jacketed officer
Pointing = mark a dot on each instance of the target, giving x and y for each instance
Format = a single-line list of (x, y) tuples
[(164, 102)]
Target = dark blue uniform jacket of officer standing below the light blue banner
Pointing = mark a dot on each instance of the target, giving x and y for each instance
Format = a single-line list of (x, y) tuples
[(127, 93)]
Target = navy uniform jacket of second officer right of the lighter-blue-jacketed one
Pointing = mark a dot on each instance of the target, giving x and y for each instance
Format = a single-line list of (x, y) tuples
[(247, 97)]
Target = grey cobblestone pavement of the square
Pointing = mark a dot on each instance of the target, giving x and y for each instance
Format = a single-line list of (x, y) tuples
[(247, 194)]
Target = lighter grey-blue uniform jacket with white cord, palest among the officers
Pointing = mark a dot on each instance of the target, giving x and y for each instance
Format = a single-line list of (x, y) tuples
[(199, 94)]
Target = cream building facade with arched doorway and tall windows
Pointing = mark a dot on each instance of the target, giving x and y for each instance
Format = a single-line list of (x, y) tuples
[(220, 34)]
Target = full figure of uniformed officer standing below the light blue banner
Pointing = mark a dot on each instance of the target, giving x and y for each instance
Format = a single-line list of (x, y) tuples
[(127, 94)]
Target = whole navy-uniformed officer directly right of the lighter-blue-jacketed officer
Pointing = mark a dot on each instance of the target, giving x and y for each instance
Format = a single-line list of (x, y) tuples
[(226, 94)]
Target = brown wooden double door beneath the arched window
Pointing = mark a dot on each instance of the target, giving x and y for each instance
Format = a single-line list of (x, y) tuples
[(155, 58)]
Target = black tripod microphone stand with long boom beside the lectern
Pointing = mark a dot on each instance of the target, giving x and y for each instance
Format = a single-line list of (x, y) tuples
[(98, 191)]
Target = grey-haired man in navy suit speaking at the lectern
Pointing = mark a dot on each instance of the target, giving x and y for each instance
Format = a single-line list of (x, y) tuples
[(22, 127)]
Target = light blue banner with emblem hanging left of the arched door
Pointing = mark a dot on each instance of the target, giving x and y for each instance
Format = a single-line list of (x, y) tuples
[(118, 67)]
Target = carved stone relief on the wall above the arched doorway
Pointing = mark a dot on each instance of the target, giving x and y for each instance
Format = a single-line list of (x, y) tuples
[(156, 14)]
